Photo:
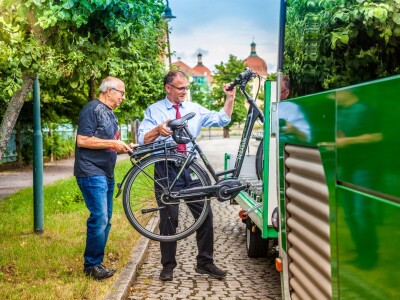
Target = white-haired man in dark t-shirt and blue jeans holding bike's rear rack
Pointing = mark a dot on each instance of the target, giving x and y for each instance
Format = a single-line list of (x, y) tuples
[(96, 150)]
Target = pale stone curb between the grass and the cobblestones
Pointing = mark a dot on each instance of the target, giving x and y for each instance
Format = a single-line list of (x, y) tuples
[(120, 288)]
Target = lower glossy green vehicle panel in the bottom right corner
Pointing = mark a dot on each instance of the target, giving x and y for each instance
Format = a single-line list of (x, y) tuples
[(368, 246)]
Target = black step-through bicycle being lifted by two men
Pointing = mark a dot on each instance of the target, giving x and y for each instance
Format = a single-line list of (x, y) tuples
[(149, 192)]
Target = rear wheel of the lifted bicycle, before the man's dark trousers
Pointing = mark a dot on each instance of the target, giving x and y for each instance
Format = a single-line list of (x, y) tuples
[(140, 194)]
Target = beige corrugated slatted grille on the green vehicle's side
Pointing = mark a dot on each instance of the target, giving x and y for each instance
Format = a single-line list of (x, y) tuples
[(308, 232)]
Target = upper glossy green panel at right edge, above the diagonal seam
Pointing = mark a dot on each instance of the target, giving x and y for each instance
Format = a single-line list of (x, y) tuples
[(368, 131)]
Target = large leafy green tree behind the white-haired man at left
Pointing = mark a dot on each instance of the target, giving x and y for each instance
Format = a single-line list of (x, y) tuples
[(70, 45)]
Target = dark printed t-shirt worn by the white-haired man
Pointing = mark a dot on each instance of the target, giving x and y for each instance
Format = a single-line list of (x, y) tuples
[(96, 119)]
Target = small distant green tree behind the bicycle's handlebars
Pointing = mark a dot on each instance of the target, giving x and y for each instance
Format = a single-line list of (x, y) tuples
[(227, 72)]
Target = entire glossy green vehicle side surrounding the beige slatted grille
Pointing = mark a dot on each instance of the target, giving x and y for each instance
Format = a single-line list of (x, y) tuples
[(363, 175)]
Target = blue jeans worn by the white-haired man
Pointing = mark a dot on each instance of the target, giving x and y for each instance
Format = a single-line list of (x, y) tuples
[(98, 193)]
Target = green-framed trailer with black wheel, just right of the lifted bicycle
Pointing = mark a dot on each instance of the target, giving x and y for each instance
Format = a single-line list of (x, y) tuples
[(259, 201)]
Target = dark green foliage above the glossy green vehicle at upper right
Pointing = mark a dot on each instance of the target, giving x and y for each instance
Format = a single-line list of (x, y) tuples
[(331, 43)]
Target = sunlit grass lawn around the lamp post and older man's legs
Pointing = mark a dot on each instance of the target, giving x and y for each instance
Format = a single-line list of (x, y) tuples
[(50, 265)]
